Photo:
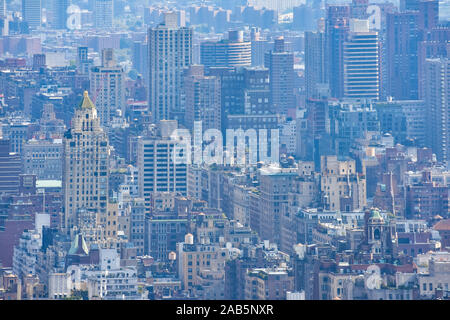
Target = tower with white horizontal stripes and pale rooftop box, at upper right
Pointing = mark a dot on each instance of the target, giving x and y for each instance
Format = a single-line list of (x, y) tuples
[(361, 62)]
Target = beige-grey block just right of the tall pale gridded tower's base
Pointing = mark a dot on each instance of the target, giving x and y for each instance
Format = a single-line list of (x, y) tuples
[(202, 99)]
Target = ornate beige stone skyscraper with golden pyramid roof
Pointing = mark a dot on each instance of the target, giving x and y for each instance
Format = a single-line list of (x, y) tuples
[(85, 168)]
